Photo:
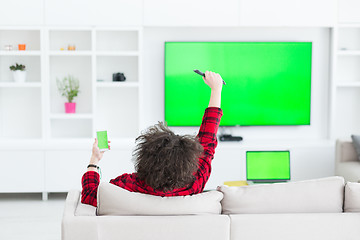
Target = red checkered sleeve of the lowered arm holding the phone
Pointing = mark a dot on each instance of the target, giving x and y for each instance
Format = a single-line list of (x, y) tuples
[(90, 182)]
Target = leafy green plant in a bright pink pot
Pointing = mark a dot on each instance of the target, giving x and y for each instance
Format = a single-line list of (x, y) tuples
[(69, 88)]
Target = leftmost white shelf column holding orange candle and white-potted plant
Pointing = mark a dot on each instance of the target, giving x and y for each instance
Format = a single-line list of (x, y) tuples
[(21, 103)]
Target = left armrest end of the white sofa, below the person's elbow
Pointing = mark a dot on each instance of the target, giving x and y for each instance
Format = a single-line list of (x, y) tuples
[(77, 227)]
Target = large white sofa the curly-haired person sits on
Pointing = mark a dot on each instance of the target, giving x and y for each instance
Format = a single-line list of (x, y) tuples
[(312, 209)]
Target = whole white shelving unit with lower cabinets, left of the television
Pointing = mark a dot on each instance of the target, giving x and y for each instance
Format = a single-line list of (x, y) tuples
[(33, 122)]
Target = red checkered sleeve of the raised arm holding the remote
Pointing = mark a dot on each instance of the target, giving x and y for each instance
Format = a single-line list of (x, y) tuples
[(207, 137)]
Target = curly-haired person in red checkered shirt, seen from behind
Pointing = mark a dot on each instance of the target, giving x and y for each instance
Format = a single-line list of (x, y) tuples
[(166, 164)]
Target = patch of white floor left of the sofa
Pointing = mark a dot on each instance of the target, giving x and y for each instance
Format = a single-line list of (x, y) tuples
[(27, 217)]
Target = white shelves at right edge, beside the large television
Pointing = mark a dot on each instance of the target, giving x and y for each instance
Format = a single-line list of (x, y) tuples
[(346, 81)]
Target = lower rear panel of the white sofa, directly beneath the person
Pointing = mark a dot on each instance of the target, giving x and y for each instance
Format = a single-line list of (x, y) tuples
[(186, 227)]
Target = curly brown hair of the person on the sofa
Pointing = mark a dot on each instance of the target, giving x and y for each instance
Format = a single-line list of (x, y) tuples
[(164, 160)]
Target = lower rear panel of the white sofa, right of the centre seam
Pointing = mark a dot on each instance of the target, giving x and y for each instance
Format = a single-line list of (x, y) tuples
[(288, 226)]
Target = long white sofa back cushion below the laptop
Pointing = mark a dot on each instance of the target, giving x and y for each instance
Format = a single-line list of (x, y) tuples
[(310, 196)]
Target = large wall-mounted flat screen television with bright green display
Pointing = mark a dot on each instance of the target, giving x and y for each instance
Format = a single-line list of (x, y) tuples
[(267, 83)]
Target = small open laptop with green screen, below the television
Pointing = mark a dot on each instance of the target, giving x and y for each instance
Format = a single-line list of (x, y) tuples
[(268, 166)]
